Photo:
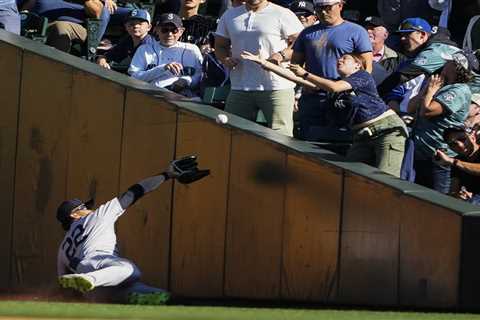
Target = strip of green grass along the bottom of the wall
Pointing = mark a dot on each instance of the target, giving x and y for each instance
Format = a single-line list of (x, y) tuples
[(109, 311)]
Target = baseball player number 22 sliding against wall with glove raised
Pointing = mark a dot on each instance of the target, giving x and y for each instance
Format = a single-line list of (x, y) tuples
[(88, 257)]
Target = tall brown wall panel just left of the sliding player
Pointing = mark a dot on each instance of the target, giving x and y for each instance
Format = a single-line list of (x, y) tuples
[(41, 169)]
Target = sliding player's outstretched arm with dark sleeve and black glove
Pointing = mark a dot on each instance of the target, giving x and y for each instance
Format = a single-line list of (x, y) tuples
[(185, 170)]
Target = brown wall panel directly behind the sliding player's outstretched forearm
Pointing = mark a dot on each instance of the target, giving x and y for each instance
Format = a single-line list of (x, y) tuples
[(147, 148)]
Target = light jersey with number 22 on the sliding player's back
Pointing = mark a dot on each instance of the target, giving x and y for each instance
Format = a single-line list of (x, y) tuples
[(91, 235)]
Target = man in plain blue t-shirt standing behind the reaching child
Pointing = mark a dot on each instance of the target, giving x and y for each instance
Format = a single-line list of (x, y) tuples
[(318, 47)]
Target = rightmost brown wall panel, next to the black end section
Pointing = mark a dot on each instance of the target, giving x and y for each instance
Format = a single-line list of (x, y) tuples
[(430, 245)]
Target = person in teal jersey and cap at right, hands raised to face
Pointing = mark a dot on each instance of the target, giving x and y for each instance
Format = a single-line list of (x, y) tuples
[(444, 102)]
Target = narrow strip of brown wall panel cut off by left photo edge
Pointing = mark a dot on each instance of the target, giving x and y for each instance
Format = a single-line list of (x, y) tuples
[(10, 64)]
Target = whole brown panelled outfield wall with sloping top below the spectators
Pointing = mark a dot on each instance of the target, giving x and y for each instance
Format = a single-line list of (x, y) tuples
[(277, 219)]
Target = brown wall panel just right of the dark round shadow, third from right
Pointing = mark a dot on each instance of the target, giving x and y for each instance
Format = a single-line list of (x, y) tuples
[(311, 231)]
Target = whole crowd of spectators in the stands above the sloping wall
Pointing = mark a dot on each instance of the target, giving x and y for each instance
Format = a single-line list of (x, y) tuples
[(399, 80)]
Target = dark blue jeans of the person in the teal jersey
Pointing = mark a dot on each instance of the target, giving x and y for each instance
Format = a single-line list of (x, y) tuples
[(432, 175)]
